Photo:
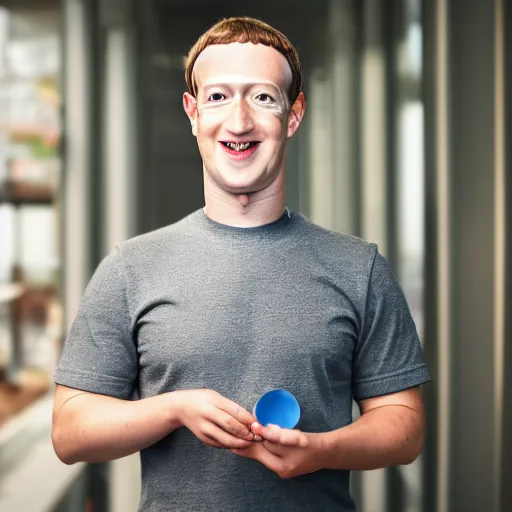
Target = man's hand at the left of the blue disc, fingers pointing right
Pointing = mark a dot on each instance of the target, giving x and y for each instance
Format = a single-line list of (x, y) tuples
[(214, 419)]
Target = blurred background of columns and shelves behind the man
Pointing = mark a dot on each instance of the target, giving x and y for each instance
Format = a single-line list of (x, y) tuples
[(406, 142)]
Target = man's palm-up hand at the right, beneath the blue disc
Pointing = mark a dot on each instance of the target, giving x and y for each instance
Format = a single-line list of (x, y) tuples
[(288, 453)]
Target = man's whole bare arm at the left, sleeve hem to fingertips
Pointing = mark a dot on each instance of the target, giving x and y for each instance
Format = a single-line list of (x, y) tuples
[(97, 428)]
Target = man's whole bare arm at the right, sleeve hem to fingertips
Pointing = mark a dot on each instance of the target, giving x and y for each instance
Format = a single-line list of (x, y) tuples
[(389, 432)]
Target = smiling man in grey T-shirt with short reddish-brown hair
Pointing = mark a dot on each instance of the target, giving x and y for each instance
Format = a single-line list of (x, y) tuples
[(203, 316)]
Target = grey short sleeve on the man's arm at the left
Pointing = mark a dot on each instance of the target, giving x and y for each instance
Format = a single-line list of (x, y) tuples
[(100, 354)]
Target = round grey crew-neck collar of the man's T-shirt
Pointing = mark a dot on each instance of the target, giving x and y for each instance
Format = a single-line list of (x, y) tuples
[(274, 229)]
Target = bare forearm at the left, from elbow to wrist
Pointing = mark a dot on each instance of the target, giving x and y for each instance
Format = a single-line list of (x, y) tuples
[(96, 428)]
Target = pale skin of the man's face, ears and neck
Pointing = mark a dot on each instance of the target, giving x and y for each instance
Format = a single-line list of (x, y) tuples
[(251, 192)]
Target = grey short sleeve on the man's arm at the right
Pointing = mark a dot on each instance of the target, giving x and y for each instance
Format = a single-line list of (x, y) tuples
[(388, 357)]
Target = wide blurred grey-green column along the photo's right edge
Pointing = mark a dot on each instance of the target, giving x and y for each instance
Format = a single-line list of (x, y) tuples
[(467, 448)]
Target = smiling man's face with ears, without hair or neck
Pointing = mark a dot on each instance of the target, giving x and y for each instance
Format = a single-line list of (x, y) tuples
[(242, 115)]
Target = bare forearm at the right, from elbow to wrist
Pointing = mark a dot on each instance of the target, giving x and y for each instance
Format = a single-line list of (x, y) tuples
[(385, 436)]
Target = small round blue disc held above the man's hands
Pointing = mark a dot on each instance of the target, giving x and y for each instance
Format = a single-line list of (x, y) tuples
[(278, 407)]
